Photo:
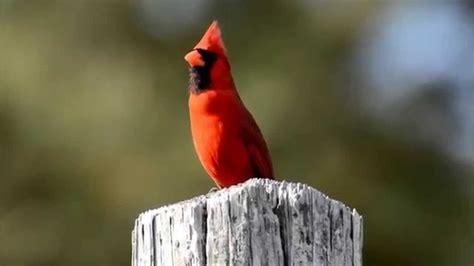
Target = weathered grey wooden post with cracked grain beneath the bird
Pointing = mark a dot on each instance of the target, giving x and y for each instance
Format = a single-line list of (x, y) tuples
[(260, 222)]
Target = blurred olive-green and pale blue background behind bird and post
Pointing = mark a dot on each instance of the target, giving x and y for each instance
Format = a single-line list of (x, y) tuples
[(370, 102)]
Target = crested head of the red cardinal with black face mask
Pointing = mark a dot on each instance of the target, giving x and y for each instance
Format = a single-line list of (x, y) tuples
[(209, 67)]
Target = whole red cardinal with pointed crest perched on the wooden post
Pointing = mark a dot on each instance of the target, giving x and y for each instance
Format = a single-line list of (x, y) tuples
[(226, 137)]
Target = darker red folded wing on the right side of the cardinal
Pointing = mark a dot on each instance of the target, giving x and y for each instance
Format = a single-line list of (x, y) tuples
[(256, 148)]
